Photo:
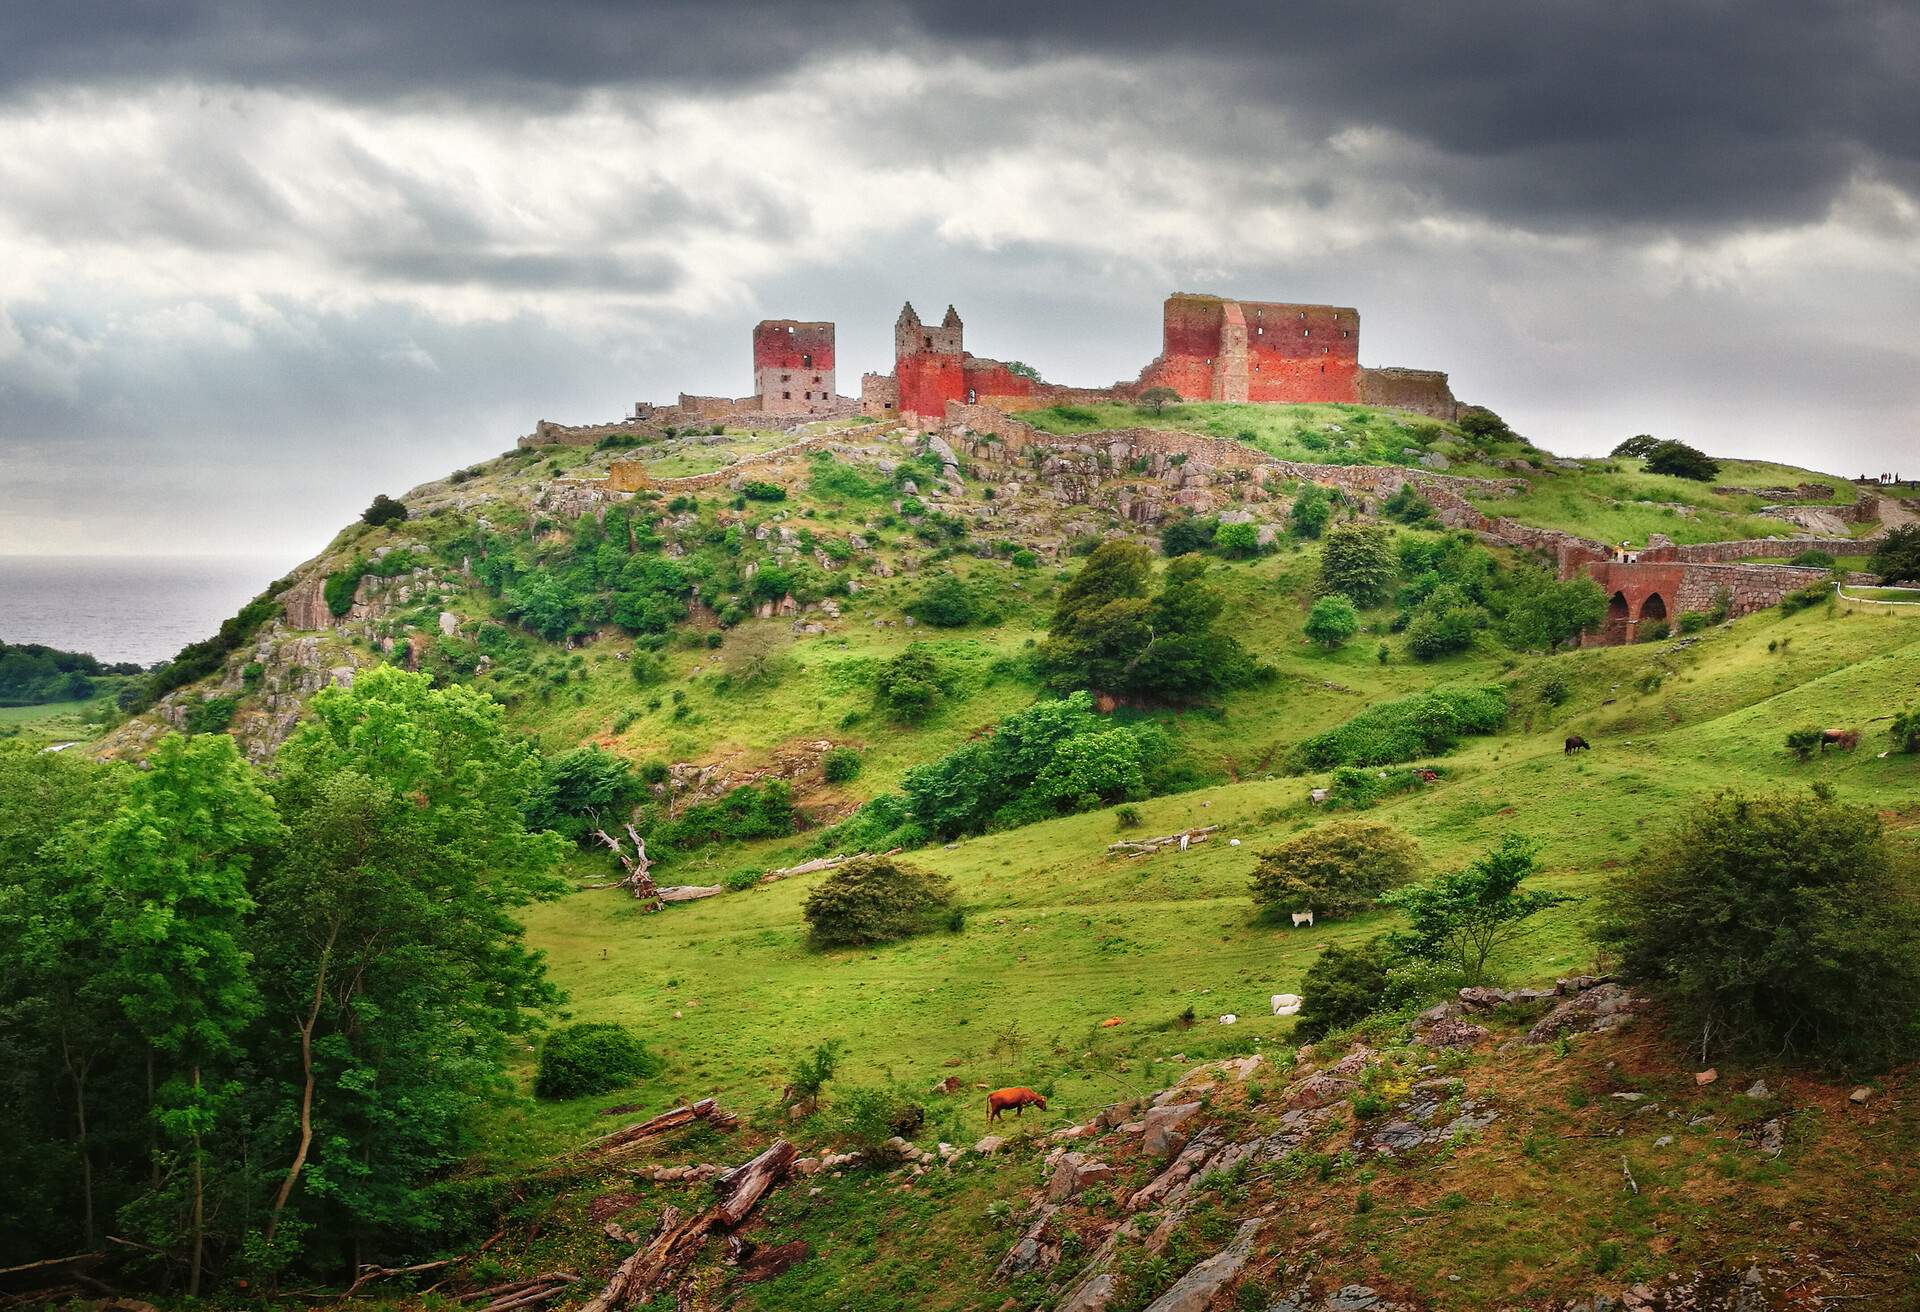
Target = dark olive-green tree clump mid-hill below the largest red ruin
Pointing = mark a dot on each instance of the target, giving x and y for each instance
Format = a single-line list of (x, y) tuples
[(1111, 637)]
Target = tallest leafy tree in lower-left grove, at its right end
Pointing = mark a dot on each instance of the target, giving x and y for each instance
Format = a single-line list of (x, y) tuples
[(395, 967)]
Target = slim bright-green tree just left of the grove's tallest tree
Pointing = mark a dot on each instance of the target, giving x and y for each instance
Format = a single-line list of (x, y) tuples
[(176, 863)]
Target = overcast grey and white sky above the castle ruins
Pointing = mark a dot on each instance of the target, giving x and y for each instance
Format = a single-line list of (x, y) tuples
[(260, 262)]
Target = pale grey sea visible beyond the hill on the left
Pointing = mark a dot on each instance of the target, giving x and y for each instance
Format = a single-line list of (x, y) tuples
[(128, 608)]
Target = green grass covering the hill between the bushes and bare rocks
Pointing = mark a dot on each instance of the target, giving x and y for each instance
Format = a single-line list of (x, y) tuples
[(1061, 936)]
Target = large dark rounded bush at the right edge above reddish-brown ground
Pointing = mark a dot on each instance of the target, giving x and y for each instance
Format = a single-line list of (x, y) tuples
[(1777, 925)]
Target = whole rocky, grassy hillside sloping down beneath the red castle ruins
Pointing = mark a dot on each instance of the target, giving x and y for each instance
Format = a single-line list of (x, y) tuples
[(717, 610)]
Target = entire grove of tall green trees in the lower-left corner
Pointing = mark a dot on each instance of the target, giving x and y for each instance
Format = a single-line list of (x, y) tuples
[(268, 1015)]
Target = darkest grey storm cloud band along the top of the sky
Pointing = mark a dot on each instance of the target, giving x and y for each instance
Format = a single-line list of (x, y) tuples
[(1570, 114)]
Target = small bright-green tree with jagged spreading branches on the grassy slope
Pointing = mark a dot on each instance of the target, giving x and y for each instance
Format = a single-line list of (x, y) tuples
[(1464, 915)]
